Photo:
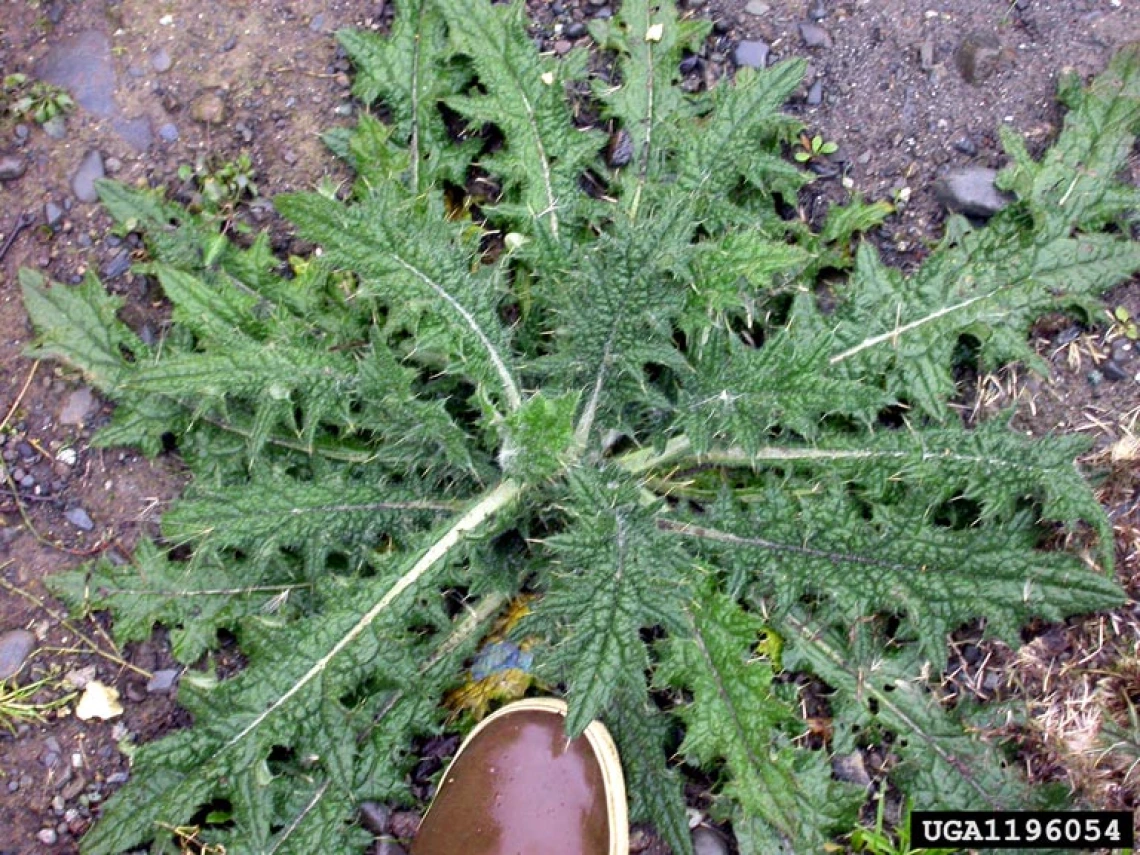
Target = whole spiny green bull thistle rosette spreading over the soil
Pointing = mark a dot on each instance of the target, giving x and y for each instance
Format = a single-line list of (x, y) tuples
[(616, 392)]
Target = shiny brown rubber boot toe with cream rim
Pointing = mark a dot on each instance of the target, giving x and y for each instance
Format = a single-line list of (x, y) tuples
[(518, 787)]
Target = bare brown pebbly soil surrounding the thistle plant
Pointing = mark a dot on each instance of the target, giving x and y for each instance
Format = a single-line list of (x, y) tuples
[(265, 78)]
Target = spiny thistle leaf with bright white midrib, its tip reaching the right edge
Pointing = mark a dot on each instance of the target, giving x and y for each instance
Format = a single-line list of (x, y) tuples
[(991, 286)]
